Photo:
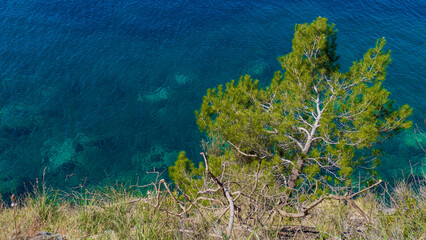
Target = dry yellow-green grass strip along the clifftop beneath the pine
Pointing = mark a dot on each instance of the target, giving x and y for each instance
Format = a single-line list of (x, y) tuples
[(117, 213)]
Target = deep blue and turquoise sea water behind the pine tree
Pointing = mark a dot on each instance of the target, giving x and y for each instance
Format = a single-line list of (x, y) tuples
[(97, 91)]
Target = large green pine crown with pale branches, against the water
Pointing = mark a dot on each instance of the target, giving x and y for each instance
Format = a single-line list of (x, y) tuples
[(310, 111)]
